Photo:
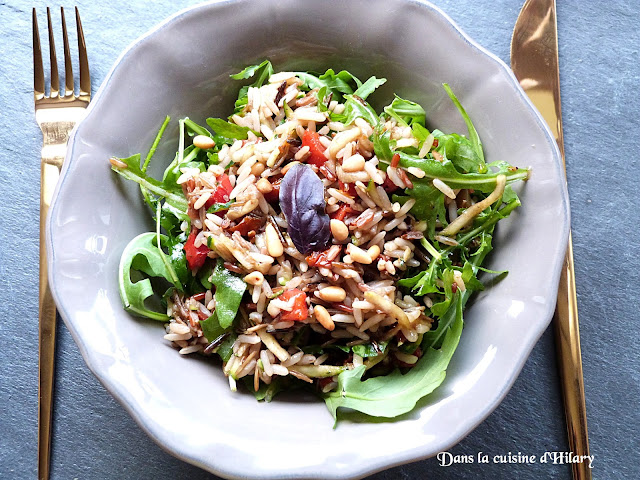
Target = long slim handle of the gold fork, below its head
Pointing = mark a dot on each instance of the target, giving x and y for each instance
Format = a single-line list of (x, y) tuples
[(49, 174)]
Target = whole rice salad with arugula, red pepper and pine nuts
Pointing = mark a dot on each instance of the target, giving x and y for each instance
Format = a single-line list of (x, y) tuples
[(308, 240)]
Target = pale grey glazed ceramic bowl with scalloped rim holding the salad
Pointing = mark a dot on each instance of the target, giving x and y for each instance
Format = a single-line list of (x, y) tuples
[(182, 68)]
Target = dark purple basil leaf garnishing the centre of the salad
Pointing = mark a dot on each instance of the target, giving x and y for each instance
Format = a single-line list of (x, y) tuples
[(302, 201)]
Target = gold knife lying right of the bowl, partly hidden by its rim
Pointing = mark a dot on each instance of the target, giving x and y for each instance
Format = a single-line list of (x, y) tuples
[(534, 61)]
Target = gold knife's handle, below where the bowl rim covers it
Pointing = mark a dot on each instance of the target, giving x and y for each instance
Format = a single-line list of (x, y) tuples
[(570, 365)]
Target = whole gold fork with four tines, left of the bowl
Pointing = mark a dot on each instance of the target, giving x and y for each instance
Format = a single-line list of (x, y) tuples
[(56, 115)]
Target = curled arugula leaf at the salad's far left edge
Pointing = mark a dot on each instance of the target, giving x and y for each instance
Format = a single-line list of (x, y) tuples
[(142, 255)]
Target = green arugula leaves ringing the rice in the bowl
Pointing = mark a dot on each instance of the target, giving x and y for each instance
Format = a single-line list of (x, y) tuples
[(154, 267)]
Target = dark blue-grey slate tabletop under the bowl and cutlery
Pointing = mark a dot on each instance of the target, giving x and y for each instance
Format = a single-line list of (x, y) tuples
[(94, 438)]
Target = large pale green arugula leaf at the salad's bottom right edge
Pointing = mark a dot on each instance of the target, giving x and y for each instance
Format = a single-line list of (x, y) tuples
[(394, 394)]
